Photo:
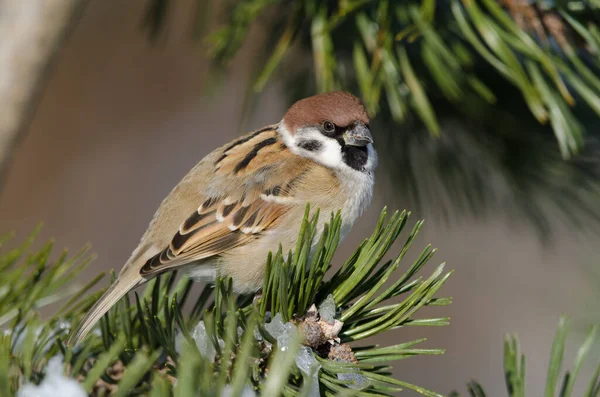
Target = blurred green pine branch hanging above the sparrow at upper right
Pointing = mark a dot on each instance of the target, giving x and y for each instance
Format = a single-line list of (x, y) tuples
[(399, 54)]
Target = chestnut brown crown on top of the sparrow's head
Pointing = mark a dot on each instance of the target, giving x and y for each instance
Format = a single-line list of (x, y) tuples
[(340, 108)]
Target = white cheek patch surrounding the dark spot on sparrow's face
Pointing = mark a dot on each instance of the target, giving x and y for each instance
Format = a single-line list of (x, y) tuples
[(330, 153)]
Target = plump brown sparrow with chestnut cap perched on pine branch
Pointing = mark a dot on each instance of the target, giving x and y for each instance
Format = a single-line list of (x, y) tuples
[(249, 196)]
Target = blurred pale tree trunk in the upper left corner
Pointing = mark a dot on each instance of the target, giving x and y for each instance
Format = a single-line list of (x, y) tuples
[(31, 34)]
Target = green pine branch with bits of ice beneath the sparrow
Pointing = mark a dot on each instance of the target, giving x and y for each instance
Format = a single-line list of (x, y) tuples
[(293, 340)]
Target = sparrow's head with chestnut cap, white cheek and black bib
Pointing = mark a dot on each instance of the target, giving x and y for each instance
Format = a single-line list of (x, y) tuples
[(331, 129)]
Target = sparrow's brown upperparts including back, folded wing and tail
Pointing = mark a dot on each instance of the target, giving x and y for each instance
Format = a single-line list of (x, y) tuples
[(240, 191)]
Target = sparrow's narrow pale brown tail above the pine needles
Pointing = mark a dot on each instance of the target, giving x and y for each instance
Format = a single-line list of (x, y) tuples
[(116, 291)]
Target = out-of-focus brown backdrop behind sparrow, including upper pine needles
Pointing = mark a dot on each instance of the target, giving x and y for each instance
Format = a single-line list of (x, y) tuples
[(135, 97)]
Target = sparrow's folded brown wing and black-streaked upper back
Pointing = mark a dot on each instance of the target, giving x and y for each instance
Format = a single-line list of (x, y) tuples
[(257, 175)]
